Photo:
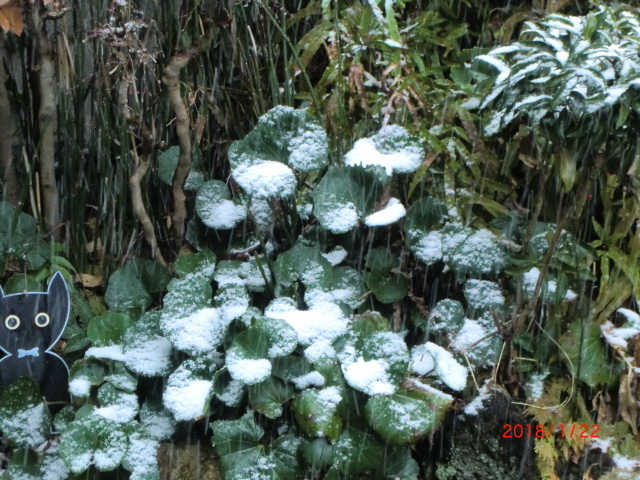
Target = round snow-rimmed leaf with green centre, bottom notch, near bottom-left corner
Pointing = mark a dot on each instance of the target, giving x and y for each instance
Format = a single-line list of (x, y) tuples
[(93, 440)]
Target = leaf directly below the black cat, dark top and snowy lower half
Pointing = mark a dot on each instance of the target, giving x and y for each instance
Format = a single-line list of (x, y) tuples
[(24, 417)]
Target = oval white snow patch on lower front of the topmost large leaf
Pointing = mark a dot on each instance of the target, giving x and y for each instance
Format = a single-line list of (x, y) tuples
[(266, 178)]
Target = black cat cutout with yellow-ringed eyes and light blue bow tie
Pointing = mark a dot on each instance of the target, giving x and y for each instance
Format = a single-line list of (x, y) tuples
[(31, 324)]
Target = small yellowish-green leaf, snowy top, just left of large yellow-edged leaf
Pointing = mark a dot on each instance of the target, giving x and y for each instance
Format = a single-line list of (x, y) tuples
[(316, 412)]
